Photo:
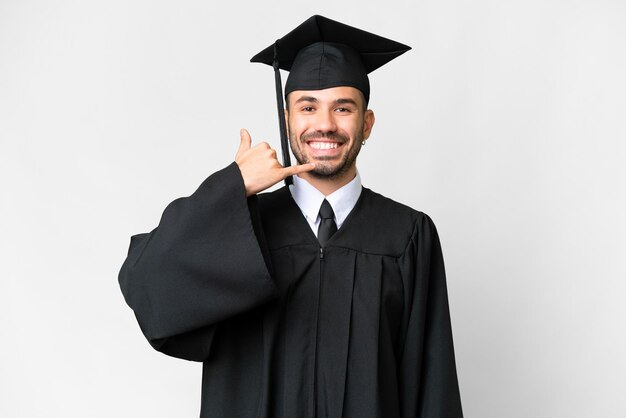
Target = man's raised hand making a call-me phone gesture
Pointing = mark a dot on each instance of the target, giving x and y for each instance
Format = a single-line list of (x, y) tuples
[(259, 166)]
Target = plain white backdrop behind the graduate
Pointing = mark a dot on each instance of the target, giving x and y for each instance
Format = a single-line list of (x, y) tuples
[(505, 123)]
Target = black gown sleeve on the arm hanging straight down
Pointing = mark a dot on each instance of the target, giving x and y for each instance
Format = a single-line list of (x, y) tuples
[(430, 387)]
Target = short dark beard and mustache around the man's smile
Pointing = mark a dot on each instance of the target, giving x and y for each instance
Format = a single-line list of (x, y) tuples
[(329, 171)]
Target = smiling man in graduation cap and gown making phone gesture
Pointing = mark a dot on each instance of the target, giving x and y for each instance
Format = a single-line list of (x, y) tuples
[(321, 299)]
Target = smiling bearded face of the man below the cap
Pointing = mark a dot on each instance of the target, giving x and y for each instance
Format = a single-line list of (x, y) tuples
[(326, 127)]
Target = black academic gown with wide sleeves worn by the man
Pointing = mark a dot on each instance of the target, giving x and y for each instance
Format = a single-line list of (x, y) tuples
[(359, 329)]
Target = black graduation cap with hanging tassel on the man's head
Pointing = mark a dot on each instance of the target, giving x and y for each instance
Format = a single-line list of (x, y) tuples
[(322, 53)]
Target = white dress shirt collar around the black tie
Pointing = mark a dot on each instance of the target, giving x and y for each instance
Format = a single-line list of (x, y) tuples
[(309, 200)]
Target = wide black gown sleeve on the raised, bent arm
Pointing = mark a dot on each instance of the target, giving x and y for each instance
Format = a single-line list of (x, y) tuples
[(201, 265)]
